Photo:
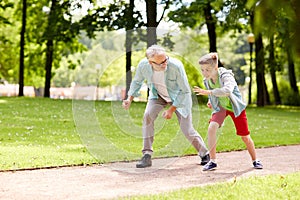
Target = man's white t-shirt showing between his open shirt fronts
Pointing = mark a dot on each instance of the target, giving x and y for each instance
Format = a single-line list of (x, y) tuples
[(158, 79)]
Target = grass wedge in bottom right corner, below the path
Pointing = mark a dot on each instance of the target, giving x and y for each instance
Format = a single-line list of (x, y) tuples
[(268, 187)]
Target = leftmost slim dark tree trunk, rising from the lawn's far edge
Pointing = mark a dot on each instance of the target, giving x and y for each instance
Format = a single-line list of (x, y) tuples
[(22, 47)]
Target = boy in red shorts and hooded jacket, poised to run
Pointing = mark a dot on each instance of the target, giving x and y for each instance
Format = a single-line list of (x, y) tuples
[(224, 99)]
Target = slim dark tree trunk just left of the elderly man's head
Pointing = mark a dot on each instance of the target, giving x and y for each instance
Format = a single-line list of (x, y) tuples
[(128, 44)]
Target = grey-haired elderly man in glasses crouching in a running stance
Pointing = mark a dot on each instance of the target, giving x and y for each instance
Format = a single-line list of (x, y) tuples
[(168, 84)]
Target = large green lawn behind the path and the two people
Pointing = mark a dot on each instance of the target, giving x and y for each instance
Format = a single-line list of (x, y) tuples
[(38, 132)]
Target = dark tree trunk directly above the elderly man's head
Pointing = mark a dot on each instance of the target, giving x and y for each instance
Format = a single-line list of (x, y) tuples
[(151, 22)]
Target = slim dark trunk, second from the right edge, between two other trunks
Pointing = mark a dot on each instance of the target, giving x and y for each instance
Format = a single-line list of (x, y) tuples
[(273, 67)]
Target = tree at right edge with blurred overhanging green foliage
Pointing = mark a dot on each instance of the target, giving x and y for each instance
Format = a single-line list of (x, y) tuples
[(282, 19)]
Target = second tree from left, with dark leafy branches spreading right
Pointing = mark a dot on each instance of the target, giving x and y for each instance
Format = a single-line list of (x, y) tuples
[(63, 29)]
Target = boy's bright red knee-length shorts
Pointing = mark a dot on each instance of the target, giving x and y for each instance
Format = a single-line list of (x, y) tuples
[(240, 122)]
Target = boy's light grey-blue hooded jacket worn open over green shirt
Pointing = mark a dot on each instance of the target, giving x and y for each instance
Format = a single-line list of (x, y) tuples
[(229, 88)]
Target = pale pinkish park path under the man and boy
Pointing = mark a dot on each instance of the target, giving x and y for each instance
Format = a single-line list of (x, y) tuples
[(123, 179)]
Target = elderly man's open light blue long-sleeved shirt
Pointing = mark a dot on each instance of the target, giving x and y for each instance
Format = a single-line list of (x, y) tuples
[(176, 83)]
